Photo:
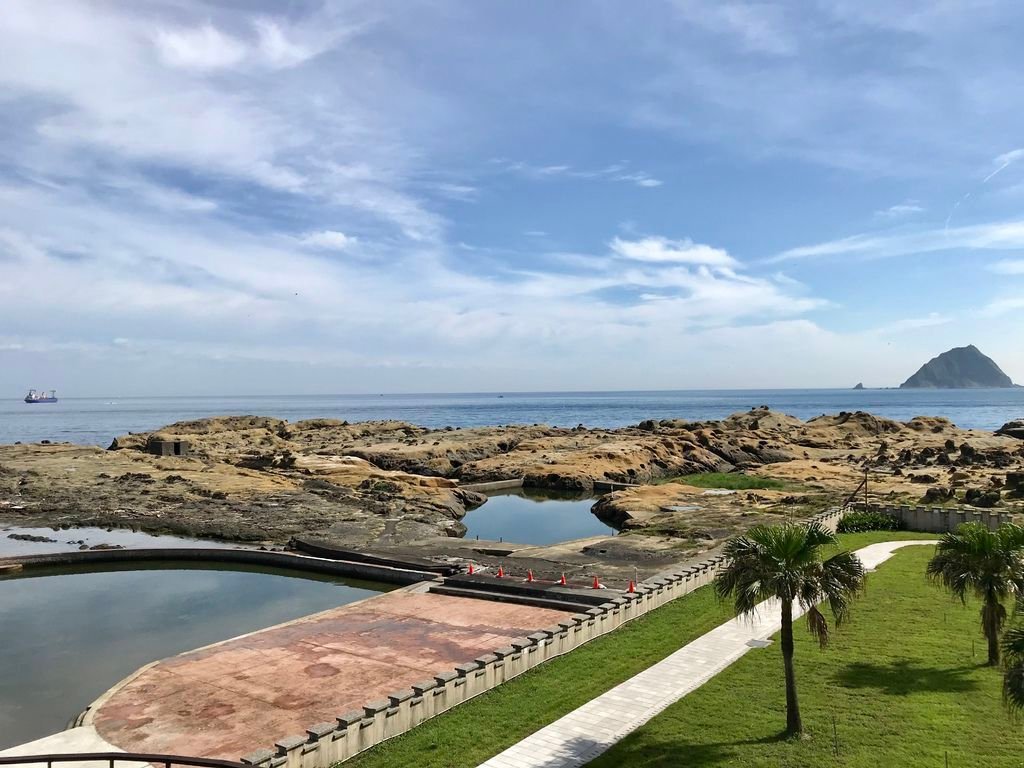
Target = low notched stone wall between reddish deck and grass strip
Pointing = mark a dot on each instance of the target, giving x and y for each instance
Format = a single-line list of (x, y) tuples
[(351, 734)]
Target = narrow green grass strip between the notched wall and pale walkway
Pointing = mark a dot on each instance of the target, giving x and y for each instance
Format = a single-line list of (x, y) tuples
[(479, 730)]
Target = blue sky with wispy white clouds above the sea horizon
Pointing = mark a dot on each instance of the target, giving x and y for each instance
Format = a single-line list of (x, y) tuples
[(426, 196)]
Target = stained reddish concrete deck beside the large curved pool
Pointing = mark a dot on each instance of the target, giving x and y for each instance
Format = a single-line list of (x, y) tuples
[(228, 700)]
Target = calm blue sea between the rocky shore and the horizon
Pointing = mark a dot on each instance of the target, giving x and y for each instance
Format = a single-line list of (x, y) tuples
[(99, 420)]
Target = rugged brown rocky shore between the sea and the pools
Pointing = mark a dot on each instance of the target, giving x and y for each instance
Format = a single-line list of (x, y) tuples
[(397, 488)]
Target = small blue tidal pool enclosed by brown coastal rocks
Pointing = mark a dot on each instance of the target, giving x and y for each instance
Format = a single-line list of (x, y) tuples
[(534, 517)]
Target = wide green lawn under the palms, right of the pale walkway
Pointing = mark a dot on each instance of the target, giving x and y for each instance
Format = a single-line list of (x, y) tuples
[(905, 681)]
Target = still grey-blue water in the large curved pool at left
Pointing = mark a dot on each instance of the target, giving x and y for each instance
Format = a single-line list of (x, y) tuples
[(70, 634)]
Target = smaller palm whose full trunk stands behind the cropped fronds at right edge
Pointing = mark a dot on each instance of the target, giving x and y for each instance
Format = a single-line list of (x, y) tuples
[(987, 564)]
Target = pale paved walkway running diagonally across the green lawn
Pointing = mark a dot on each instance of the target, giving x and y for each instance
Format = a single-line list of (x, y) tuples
[(588, 732)]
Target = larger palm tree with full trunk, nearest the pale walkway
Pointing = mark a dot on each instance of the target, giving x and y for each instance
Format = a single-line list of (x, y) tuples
[(786, 563)]
